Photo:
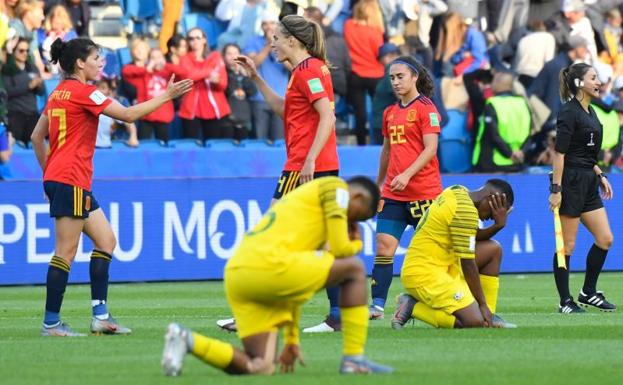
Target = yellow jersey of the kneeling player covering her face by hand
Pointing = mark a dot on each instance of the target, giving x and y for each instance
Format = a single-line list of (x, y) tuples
[(445, 234)]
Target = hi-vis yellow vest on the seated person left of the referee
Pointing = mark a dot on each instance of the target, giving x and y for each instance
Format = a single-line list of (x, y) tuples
[(513, 118)]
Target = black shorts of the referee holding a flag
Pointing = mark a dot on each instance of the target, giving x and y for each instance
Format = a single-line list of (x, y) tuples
[(580, 192)]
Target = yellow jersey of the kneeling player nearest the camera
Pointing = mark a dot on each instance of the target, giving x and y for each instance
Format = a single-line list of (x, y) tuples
[(298, 222)]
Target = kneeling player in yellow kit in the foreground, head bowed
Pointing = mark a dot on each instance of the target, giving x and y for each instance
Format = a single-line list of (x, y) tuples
[(277, 268)]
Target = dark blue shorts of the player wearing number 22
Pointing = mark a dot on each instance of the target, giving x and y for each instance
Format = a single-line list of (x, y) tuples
[(394, 216)]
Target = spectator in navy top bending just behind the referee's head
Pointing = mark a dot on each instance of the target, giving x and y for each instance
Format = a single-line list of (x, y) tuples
[(546, 85)]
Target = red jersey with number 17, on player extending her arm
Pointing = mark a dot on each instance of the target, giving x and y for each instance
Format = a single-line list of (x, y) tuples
[(72, 110)]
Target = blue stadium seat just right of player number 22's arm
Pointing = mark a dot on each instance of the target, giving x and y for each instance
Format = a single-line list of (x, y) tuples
[(455, 144)]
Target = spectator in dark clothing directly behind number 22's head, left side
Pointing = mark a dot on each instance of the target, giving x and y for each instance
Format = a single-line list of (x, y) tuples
[(384, 95)]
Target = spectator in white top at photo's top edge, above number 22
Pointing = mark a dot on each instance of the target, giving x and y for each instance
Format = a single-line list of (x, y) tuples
[(417, 31)]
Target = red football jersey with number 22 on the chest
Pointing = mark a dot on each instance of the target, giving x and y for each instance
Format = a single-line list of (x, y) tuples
[(404, 127)]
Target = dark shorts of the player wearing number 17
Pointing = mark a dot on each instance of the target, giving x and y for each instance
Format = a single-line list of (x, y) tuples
[(69, 201)]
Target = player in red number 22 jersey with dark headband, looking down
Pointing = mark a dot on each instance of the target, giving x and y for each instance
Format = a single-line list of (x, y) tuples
[(408, 168)]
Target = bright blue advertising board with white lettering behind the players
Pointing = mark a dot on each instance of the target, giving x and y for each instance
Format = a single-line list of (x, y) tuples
[(183, 229)]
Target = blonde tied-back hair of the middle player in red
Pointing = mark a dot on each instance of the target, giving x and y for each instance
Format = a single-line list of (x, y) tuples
[(308, 33)]
